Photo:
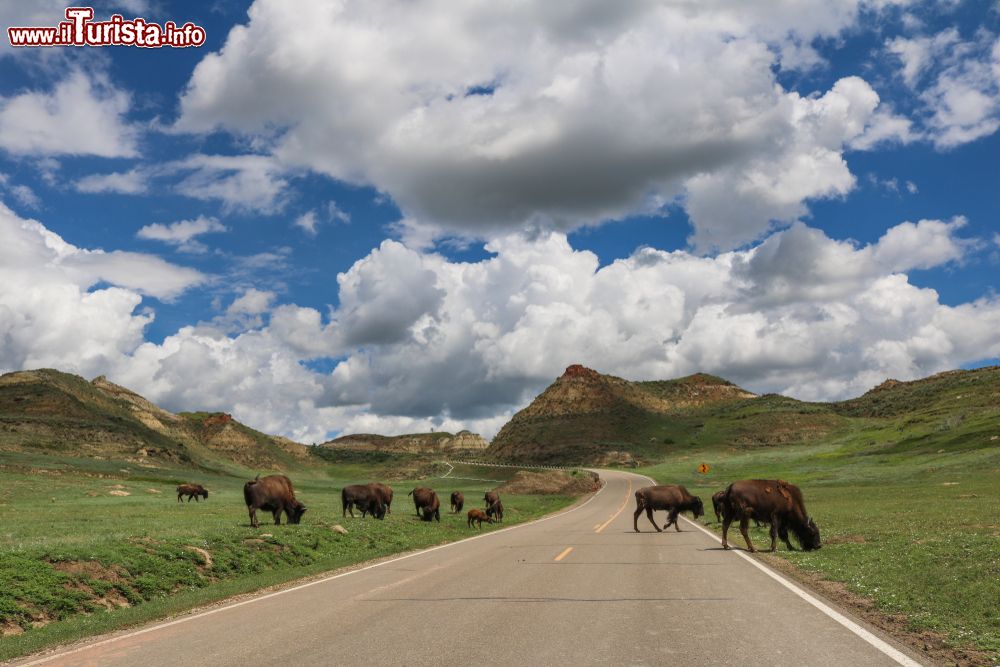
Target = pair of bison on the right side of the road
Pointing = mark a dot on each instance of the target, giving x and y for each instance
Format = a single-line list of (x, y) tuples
[(774, 502)]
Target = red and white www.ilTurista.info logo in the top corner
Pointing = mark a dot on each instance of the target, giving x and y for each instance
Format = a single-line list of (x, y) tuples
[(79, 29)]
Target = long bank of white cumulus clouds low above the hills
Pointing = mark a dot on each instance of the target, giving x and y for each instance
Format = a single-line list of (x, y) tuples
[(419, 341)]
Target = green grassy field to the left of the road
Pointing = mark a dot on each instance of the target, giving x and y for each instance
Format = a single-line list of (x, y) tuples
[(69, 549)]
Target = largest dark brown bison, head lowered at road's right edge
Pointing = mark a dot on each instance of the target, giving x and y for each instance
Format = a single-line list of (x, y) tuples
[(771, 501)]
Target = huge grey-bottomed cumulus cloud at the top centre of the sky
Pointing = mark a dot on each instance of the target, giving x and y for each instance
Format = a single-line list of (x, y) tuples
[(503, 116)]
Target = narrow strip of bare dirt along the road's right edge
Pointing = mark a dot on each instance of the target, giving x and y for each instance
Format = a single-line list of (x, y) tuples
[(926, 642)]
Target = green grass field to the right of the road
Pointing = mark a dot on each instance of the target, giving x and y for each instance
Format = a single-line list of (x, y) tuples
[(909, 518)]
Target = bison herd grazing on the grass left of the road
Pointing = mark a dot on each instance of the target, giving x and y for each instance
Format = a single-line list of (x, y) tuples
[(274, 493)]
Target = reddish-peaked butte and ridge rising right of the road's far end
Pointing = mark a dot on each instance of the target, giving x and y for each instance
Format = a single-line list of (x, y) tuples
[(586, 417)]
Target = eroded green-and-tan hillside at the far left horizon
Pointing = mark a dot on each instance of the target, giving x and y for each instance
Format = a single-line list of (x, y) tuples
[(58, 413)]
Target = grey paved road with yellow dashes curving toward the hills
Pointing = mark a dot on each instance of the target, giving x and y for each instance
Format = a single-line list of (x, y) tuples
[(578, 588)]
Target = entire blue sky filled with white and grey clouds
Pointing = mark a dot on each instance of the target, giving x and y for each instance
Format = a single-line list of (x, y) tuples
[(357, 216)]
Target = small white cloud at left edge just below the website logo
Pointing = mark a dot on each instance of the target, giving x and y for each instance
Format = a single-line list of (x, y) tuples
[(83, 115)]
